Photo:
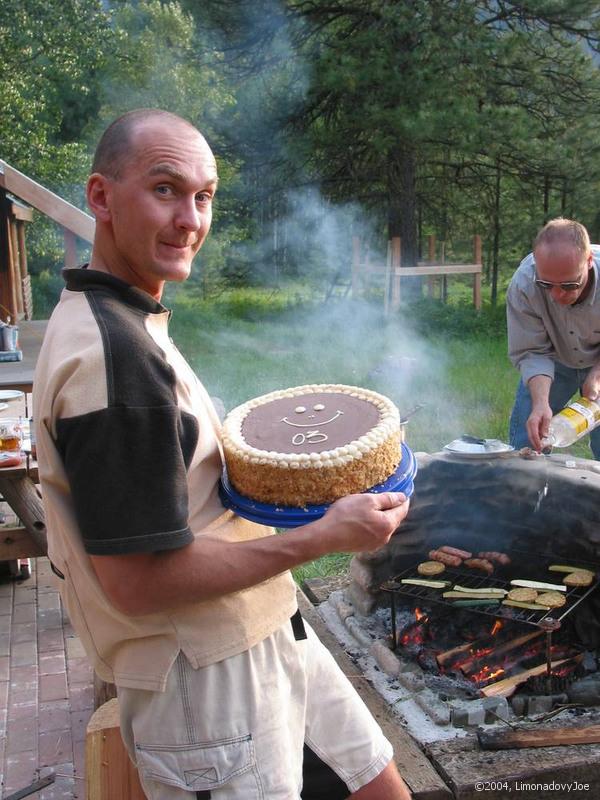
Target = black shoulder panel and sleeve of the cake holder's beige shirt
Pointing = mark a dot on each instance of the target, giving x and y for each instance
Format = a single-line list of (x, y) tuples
[(127, 463)]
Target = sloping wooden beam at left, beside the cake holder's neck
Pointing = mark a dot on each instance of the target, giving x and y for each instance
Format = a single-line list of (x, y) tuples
[(50, 204)]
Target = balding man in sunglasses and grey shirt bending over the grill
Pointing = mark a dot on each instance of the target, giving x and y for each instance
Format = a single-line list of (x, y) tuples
[(553, 312)]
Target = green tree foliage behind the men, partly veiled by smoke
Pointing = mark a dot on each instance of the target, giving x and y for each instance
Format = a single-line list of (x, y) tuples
[(328, 120)]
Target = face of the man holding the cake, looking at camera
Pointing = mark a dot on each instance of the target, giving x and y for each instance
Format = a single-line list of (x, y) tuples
[(160, 208)]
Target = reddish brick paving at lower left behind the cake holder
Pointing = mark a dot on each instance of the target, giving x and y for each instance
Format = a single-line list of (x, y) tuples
[(46, 689)]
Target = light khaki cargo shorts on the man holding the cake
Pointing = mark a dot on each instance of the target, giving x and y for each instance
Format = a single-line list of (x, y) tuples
[(235, 730)]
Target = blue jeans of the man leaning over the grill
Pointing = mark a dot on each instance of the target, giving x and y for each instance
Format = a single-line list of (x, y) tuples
[(567, 381)]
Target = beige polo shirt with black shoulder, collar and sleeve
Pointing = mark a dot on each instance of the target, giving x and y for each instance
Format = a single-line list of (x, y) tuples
[(130, 458)]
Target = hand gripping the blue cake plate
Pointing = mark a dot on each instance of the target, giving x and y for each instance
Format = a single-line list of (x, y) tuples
[(362, 522)]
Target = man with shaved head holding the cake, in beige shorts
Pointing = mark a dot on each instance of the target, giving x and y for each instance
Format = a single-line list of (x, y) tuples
[(189, 609)]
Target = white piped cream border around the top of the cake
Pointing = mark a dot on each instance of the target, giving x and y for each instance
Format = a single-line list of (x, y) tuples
[(389, 423)]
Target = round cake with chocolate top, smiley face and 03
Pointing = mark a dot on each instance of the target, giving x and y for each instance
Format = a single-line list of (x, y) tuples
[(311, 444)]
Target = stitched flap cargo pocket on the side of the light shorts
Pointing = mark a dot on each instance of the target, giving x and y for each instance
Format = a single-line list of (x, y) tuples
[(203, 767)]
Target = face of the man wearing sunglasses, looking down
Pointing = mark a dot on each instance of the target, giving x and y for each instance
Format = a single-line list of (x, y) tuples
[(565, 272)]
